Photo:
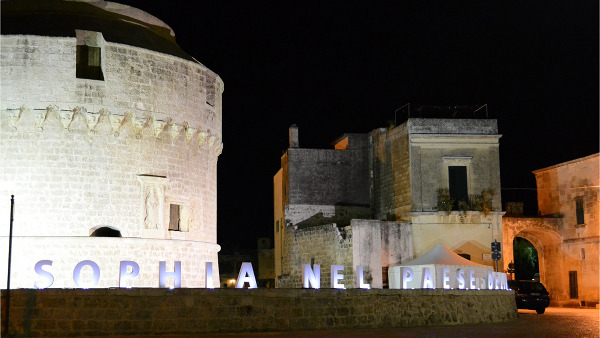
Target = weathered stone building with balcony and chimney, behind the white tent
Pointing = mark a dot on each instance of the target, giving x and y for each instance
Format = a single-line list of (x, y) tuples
[(382, 198)]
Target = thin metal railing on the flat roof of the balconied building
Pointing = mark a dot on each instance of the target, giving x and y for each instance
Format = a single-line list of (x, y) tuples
[(441, 112)]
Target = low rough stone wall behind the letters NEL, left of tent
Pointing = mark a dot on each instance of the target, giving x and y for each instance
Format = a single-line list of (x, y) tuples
[(367, 243)]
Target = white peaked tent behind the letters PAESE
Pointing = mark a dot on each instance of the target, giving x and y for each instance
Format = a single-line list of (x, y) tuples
[(440, 268)]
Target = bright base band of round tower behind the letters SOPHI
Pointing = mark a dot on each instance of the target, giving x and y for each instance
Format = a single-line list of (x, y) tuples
[(108, 252)]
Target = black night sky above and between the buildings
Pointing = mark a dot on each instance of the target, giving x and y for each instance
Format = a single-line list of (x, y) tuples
[(345, 66)]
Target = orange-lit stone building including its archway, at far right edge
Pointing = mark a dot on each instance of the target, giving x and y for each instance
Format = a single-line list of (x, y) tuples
[(566, 235)]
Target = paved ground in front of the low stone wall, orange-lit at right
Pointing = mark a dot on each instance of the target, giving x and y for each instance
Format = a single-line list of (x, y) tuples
[(556, 322)]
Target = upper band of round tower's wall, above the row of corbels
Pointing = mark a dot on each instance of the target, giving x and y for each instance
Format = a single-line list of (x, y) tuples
[(39, 71)]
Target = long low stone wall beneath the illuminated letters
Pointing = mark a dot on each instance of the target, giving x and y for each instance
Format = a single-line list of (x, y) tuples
[(77, 312)]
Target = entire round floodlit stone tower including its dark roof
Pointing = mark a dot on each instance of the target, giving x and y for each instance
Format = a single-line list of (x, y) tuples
[(107, 127)]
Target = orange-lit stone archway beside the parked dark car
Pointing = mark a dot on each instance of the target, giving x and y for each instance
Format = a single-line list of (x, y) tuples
[(544, 234)]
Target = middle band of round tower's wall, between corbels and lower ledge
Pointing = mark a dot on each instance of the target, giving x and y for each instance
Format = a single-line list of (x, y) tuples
[(67, 181)]
